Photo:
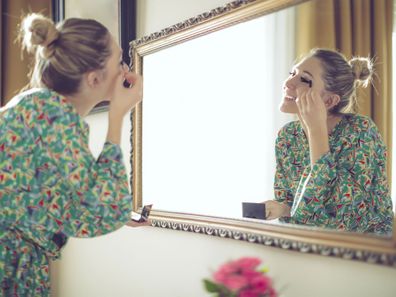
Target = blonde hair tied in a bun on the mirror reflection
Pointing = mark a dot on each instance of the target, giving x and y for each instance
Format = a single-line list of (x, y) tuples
[(342, 77)]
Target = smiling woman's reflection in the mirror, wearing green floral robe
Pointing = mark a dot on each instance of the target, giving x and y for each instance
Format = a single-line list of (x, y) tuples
[(330, 164)]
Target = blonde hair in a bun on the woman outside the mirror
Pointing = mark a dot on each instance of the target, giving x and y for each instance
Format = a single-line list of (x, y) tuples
[(63, 53)]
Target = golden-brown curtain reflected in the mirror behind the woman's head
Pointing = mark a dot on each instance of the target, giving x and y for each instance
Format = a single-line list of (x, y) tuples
[(355, 28)]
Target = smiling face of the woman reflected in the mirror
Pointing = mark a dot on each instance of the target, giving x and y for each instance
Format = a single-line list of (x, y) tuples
[(305, 75)]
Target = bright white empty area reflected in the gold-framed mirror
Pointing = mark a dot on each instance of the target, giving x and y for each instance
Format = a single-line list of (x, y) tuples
[(210, 117)]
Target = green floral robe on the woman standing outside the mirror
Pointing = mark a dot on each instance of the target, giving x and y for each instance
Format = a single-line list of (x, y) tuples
[(51, 187)]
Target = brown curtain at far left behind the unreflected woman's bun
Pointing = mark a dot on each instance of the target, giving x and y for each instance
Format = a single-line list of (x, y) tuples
[(15, 67)]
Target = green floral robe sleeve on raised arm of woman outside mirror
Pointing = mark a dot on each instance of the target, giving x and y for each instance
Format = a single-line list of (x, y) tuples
[(89, 197)]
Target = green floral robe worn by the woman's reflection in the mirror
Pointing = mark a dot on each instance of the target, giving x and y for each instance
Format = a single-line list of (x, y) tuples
[(346, 189)]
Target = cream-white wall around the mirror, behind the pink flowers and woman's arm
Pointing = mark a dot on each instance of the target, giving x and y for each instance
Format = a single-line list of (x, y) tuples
[(153, 262)]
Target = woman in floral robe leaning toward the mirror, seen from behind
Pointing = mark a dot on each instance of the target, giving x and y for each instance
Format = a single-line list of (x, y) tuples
[(51, 186)]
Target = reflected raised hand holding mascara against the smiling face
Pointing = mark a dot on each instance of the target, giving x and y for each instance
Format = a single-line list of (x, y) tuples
[(312, 109)]
